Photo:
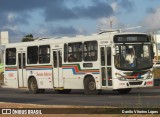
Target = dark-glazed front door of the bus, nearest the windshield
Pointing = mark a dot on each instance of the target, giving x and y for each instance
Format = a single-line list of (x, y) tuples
[(106, 69)]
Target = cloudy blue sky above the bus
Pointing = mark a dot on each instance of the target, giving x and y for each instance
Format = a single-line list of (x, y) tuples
[(63, 18)]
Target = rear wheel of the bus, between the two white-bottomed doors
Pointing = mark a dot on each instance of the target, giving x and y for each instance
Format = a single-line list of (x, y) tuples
[(32, 86)]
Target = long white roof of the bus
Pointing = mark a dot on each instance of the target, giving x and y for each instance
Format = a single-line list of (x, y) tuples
[(106, 36)]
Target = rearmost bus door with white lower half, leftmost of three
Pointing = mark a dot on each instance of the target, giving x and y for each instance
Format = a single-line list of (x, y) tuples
[(22, 81)]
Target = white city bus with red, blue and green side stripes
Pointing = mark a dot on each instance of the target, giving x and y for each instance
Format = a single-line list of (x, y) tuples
[(92, 63)]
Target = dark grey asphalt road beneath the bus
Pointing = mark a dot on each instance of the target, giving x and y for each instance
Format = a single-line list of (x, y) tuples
[(135, 99)]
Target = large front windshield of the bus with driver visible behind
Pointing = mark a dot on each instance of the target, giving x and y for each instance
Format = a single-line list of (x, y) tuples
[(133, 56)]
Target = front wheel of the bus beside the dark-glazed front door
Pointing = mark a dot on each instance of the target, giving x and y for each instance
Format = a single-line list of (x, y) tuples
[(90, 87)]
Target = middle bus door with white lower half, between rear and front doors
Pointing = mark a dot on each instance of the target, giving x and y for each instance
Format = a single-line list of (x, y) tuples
[(57, 68)]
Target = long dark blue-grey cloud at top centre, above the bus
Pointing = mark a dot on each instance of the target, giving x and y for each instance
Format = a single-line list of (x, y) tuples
[(61, 12)]
